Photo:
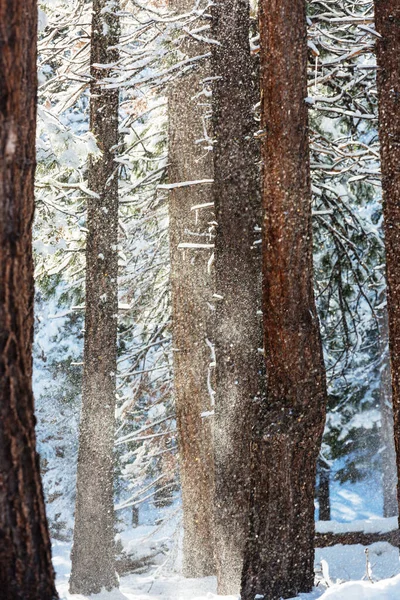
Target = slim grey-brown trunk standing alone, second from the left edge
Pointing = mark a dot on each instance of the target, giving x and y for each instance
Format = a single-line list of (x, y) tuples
[(93, 560)]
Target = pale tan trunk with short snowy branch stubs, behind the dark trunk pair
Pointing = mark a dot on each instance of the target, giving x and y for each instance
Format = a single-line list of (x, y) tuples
[(191, 287)]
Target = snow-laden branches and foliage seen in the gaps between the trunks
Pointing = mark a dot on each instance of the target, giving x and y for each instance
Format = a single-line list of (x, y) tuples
[(348, 240)]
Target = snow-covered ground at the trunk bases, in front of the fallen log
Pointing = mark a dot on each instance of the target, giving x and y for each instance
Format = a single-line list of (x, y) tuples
[(341, 574)]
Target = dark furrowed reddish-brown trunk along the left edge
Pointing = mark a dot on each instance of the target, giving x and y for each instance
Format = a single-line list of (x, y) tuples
[(26, 572)]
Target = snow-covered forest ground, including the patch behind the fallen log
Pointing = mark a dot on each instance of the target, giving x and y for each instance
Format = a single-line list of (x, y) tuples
[(342, 572)]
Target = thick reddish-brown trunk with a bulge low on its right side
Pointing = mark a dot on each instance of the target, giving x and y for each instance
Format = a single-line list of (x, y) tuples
[(279, 558)]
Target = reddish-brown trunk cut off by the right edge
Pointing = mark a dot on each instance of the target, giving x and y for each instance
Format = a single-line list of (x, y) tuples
[(387, 20)]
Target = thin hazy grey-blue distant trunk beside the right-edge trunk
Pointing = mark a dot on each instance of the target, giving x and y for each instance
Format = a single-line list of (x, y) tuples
[(388, 454)]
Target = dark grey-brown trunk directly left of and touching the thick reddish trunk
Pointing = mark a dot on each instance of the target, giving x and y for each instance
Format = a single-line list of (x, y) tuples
[(238, 335)]
